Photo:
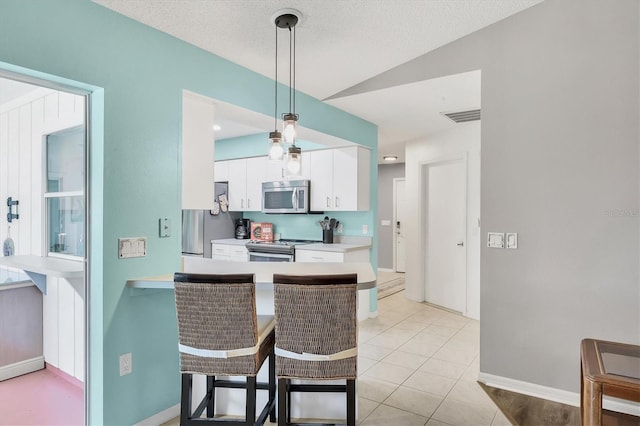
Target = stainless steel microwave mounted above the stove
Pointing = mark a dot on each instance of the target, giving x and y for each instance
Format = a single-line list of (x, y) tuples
[(288, 196)]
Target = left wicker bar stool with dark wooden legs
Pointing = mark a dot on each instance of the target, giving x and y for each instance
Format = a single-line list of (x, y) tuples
[(220, 334)]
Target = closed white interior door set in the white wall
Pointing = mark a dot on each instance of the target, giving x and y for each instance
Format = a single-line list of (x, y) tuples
[(446, 234)]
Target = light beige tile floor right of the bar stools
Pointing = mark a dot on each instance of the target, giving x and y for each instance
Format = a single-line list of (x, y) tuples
[(418, 365)]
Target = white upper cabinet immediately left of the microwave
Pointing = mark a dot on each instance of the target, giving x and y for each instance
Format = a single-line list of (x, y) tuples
[(245, 177)]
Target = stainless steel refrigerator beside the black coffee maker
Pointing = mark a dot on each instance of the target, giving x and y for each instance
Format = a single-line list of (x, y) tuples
[(199, 227)]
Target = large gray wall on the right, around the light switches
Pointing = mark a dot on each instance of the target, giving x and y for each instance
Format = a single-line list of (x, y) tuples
[(560, 166)]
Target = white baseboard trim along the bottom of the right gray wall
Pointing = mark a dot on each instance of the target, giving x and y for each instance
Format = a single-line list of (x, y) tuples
[(553, 394)]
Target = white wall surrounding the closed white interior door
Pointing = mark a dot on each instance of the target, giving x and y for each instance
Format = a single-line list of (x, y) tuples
[(462, 139)]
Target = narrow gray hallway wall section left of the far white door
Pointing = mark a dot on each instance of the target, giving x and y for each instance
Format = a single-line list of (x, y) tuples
[(386, 174)]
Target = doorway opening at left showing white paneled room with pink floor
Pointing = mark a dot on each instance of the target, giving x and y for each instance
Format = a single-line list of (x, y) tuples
[(44, 165)]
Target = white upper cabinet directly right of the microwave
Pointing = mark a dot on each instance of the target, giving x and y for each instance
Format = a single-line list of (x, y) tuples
[(340, 179)]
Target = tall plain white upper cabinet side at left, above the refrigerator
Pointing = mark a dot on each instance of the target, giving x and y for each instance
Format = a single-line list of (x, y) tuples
[(197, 152)]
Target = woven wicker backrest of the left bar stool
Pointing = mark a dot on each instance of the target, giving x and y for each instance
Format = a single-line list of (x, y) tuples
[(217, 313)]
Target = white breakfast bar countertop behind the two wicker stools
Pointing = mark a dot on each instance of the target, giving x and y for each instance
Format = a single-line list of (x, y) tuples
[(264, 271)]
